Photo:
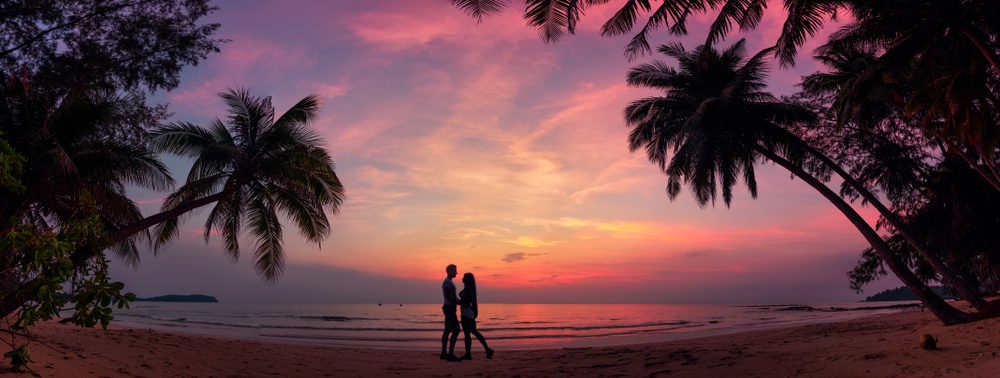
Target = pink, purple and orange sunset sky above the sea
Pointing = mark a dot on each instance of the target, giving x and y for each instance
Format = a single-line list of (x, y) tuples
[(479, 145)]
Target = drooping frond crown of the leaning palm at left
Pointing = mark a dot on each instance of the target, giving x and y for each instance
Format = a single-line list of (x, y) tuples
[(254, 165)]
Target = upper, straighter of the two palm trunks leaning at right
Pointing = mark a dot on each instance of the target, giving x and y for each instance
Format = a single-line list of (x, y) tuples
[(948, 276)]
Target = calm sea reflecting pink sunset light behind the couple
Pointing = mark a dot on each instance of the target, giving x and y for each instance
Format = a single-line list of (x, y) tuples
[(419, 326)]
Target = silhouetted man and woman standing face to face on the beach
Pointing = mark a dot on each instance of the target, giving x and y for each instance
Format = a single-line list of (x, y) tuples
[(470, 311)]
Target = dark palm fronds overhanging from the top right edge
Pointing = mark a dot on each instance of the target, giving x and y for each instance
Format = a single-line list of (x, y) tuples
[(966, 31)]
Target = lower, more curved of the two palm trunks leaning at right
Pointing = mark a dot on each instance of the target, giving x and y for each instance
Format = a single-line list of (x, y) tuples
[(945, 312)]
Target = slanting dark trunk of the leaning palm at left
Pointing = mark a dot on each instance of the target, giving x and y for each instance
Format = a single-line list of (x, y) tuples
[(13, 301)]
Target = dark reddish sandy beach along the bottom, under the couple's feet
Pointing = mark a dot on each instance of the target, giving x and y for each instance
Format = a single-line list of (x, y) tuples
[(878, 346)]
